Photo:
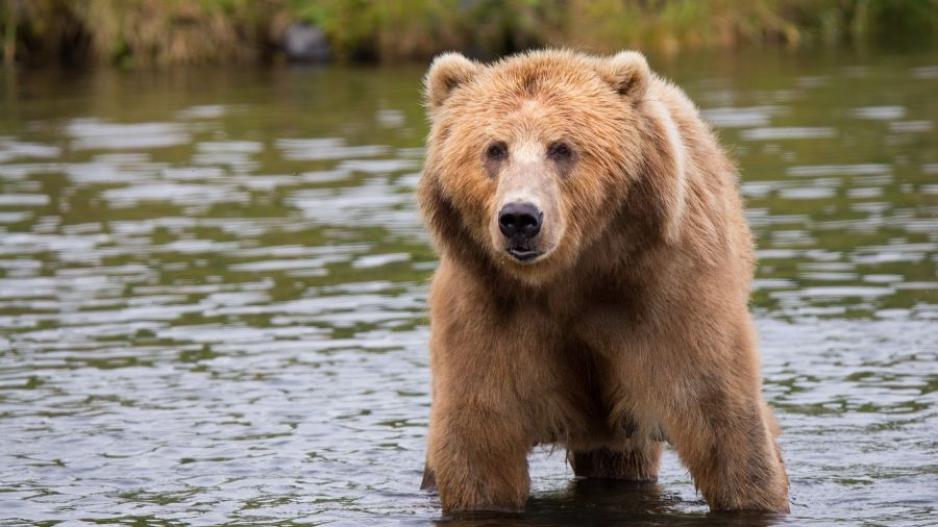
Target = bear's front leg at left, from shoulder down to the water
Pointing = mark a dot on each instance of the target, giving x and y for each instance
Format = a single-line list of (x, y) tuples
[(489, 375)]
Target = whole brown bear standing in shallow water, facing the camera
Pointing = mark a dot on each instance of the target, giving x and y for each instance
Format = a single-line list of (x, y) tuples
[(595, 268)]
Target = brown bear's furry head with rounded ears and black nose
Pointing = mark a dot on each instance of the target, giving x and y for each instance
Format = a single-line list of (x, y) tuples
[(529, 159)]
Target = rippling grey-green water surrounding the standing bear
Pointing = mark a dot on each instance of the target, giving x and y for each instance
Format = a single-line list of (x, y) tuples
[(213, 288)]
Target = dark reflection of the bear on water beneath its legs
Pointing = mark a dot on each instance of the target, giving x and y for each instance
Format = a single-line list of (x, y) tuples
[(609, 502)]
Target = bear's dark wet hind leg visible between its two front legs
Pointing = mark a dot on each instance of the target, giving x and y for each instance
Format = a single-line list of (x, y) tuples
[(635, 461)]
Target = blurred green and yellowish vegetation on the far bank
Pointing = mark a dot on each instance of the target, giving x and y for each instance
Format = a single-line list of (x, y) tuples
[(144, 32)]
